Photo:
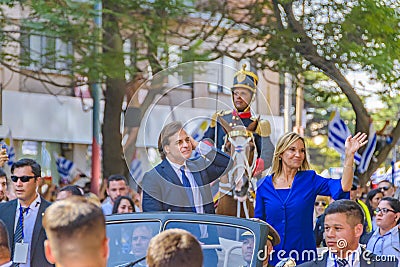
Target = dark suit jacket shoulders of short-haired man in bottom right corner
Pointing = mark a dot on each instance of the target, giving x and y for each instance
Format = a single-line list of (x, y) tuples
[(367, 259)]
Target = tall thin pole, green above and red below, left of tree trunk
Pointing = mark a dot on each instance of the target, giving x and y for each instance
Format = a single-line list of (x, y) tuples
[(96, 93)]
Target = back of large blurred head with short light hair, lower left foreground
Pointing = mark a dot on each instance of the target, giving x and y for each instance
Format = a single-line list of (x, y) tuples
[(76, 230)]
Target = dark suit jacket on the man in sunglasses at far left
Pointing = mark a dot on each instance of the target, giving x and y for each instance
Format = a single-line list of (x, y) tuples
[(7, 215)]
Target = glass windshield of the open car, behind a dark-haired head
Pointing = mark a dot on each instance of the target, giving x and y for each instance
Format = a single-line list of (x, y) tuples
[(223, 245)]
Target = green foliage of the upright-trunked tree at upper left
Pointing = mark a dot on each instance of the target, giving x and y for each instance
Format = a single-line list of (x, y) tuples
[(146, 24)]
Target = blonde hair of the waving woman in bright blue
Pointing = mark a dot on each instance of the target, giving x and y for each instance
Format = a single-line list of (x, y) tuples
[(283, 144)]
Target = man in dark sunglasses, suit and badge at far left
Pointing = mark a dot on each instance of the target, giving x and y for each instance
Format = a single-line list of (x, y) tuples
[(23, 216)]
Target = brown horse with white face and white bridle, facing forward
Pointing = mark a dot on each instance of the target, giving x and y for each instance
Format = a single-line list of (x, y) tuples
[(235, 187)]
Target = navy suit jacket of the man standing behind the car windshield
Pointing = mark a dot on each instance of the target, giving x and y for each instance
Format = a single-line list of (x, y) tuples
[(163, 190)]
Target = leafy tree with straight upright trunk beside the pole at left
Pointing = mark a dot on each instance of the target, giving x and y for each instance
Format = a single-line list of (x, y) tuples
[(142, 24)]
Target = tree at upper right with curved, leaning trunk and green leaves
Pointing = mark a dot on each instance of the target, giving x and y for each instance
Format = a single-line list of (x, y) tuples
[(323, 36)]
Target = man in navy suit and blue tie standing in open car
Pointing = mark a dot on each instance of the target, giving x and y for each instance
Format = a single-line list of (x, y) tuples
[(179, 183)]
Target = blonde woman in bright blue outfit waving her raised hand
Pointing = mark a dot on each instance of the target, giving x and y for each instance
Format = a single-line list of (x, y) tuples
[(285, 198)]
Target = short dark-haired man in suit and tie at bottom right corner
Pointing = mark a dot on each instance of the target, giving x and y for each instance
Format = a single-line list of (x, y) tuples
[(344, 222)]
